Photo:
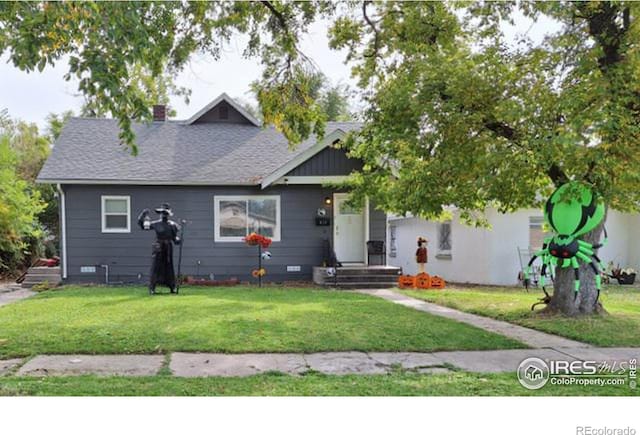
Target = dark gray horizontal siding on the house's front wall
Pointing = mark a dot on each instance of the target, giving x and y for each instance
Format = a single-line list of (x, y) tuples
[(128, 255)]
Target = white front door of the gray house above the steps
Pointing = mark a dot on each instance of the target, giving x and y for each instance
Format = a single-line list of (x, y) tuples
[(349, 230)]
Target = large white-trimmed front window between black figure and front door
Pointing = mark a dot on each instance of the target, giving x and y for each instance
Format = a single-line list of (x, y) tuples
[(238, 216)]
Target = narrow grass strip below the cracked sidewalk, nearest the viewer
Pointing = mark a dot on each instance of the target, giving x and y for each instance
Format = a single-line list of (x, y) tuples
[(395, 384)]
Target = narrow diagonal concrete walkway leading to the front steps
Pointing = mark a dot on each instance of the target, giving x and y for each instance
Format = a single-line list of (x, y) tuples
[(530, 337)]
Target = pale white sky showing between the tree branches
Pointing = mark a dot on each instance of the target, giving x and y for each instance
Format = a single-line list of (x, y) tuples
[(32, 96)]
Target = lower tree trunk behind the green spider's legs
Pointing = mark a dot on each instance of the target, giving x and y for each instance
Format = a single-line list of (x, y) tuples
[(562, 300)]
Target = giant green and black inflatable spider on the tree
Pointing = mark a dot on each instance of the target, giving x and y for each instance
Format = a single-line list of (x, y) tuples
[(571, 211)]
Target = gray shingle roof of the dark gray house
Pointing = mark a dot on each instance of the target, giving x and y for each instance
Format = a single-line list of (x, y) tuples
[(171, 152)]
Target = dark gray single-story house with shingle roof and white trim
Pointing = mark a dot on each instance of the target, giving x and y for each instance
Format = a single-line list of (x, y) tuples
[(223, 173)]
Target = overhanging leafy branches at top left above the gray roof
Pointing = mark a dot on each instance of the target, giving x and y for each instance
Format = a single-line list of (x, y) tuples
[(103, 41)]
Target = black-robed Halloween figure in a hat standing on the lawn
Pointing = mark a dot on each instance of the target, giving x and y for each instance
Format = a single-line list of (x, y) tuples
[(167, 234)]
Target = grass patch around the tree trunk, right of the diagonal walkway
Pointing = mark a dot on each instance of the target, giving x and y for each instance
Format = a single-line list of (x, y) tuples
[(620, 328)]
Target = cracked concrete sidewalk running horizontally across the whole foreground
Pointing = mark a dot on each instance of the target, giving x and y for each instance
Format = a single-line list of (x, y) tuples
[(331, 363)]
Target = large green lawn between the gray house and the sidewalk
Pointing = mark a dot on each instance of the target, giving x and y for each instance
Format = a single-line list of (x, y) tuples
[(107, 320)]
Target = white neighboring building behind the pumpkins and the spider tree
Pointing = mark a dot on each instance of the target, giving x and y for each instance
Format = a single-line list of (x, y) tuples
[(464, 254)]
